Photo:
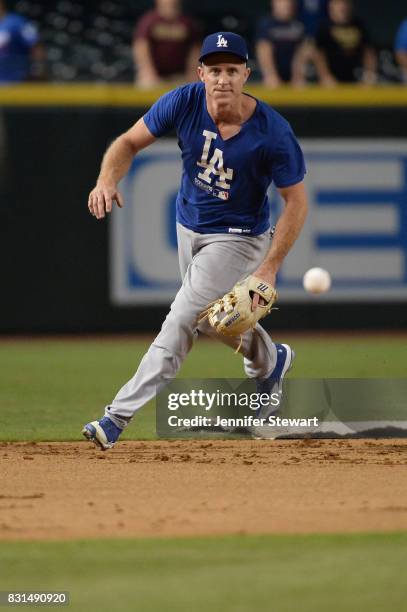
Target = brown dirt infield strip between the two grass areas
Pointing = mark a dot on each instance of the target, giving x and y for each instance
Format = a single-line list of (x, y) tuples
[(67, 490)]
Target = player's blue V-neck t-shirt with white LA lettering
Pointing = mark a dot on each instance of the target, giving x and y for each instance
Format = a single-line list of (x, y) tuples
[(224, 182)]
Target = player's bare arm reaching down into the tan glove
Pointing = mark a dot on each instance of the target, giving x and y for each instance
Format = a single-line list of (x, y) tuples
[(286, 233)]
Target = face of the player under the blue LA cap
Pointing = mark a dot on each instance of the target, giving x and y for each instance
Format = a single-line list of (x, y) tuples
[(224, 76)]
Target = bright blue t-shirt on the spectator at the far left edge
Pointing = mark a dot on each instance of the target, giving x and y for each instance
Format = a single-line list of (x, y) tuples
[(17, 36)]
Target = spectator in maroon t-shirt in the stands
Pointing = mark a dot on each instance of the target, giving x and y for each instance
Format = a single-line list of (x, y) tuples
[(166, 45)]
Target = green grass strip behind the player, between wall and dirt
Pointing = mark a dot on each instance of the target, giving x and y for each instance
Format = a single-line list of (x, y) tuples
[(49, 388)]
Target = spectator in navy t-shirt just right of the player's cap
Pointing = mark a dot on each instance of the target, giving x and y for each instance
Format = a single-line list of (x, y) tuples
[(279, 44)]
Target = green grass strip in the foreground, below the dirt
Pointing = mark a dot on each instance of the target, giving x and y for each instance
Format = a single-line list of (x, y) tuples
[(229, 573)]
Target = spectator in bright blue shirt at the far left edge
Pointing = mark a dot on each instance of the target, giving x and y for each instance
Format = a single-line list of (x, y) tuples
[(20, 50)]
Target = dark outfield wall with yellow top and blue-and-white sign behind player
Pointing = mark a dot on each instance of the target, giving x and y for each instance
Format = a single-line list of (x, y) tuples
[(57, 273)]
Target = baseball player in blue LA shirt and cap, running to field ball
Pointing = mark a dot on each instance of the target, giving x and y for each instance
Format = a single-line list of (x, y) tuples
[(232, 146)]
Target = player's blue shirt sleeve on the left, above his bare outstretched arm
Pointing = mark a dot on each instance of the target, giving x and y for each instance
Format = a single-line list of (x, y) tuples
[(165, 114)]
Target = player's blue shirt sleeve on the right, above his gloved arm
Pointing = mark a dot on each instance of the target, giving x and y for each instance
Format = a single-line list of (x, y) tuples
[(288, 165)]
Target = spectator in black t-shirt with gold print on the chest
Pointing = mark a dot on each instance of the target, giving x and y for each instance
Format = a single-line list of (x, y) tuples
[(344, 53)]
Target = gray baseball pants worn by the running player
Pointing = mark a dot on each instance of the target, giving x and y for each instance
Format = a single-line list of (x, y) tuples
[(210, 265)]
